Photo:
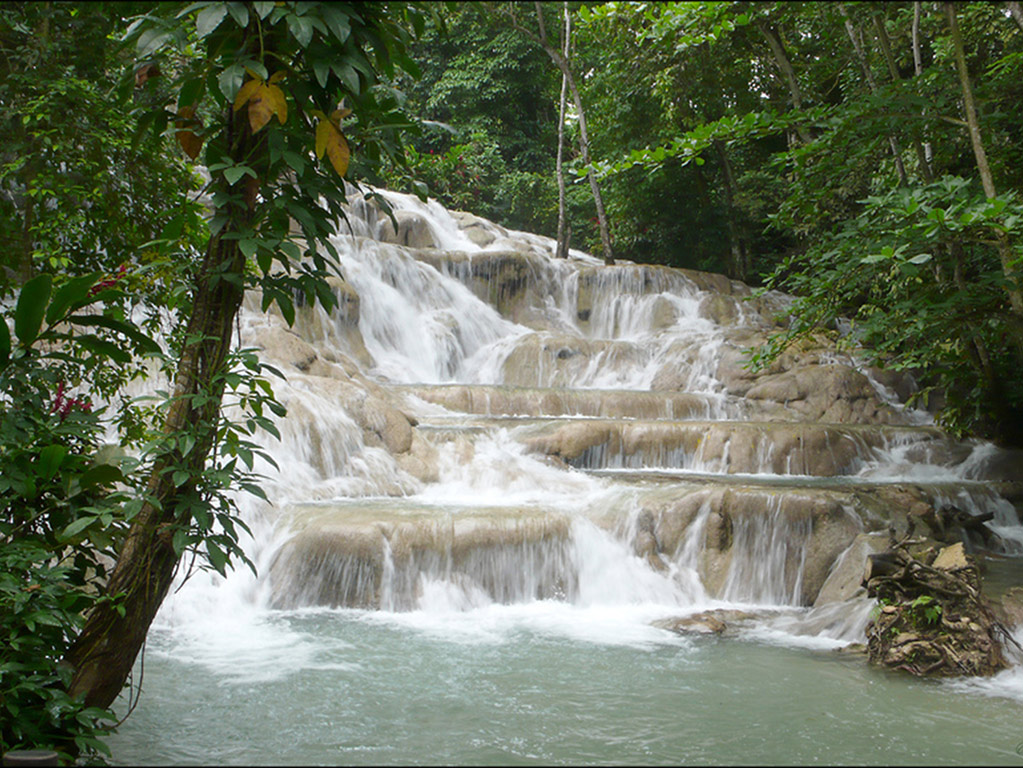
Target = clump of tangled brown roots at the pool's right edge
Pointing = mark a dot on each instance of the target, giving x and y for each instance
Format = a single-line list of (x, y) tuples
[(932, 619)]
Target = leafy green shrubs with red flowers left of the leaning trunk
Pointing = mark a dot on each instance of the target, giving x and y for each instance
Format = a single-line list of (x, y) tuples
[(63, 506)]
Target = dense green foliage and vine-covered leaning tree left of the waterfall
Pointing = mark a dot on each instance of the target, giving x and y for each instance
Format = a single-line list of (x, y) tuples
[(107, 249)]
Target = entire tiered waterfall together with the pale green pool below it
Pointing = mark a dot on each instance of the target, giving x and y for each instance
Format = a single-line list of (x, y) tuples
[(500, 474)]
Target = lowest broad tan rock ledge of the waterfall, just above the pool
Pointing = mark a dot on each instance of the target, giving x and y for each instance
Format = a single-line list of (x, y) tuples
[(384, 553)]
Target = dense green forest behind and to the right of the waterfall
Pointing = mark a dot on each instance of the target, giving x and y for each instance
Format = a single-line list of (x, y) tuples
[(823, 149)]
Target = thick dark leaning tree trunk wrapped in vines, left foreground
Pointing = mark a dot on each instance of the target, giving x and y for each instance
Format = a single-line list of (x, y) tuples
[(104, 654)]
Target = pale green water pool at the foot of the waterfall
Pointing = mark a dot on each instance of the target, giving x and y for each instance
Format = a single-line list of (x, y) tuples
[(543, 685)]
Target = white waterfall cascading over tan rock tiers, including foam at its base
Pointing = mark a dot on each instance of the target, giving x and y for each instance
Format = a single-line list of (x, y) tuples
[(491, 448)]
